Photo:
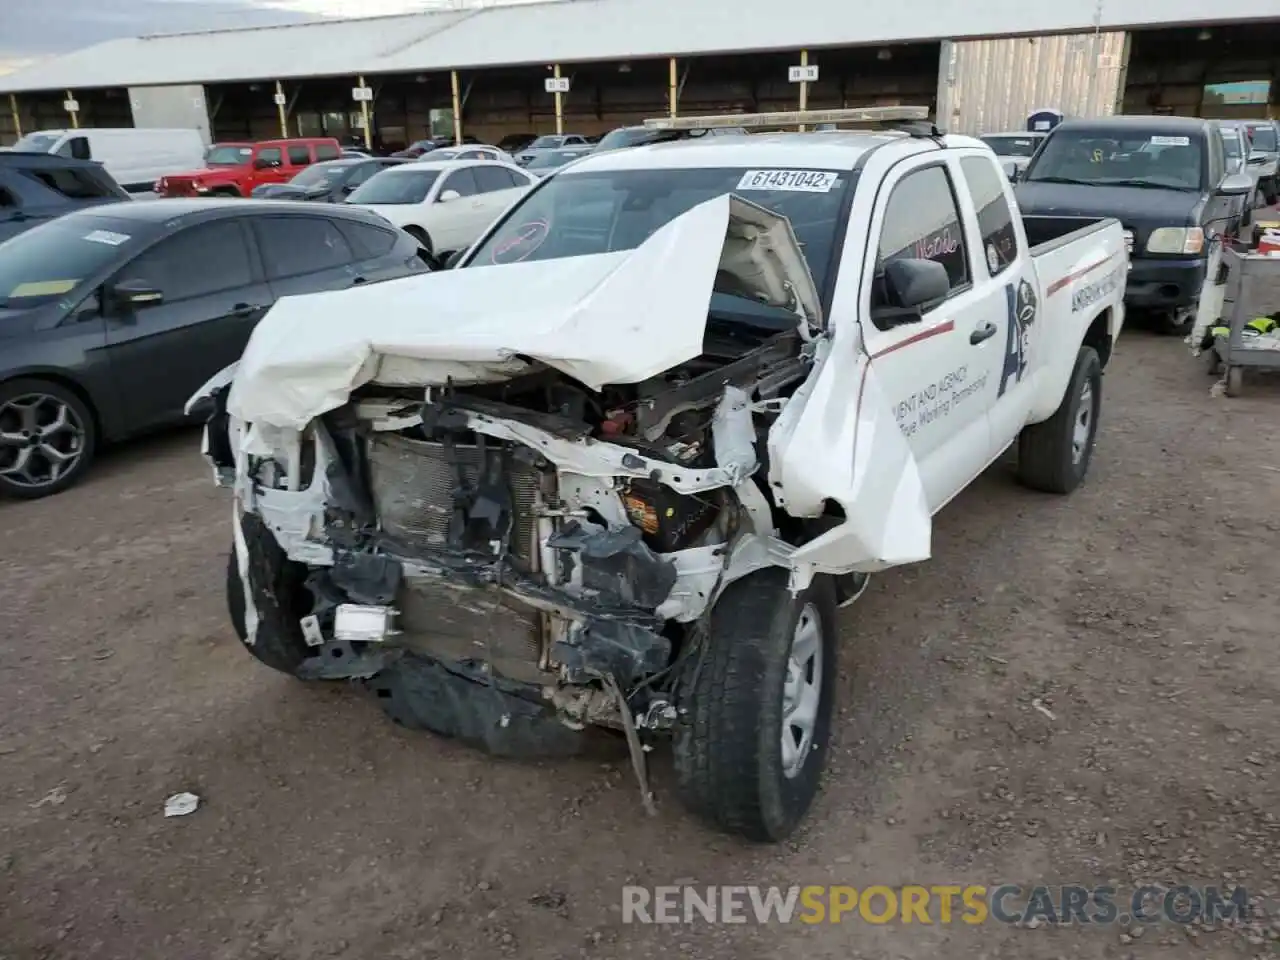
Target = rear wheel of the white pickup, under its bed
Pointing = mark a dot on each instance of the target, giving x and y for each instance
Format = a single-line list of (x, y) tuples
[(1053, 456)]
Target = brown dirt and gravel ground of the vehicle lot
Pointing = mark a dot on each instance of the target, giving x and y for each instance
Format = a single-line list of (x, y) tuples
[(1139, 614)]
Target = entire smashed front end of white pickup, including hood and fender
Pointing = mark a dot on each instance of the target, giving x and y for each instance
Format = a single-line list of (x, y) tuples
[(518, 525)]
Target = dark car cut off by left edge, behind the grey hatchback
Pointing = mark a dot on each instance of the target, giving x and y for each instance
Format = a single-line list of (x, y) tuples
[(38, 188)]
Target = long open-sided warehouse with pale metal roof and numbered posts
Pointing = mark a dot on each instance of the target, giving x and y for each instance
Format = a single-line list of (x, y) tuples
[(589, 66)]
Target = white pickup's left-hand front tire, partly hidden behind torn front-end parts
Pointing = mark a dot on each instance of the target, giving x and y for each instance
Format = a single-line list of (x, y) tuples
[(280, 595)]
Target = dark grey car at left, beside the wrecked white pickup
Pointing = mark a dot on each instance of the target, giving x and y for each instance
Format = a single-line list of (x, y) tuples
[(112, 318)]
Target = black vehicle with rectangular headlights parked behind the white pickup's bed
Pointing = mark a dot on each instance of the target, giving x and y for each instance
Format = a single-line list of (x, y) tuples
[(1164, 179)]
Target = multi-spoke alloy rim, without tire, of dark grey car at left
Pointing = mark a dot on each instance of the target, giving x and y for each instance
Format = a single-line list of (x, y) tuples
[(42, 441)]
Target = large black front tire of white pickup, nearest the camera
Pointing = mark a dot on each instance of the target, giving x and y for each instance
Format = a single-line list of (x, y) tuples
[(729, 746)]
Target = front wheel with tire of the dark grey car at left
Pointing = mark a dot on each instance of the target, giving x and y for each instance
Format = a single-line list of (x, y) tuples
[(54, 438)]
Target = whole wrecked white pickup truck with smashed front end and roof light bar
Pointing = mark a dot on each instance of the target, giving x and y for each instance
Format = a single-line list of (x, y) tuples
[(621, 465)]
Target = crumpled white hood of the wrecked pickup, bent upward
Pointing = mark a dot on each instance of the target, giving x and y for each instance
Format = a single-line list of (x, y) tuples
[(604, 319)]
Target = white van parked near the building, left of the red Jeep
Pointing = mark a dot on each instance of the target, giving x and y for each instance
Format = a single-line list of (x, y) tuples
[(136, 158)]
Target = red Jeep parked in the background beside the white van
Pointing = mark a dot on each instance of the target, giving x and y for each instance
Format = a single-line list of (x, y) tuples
[(235, 170)]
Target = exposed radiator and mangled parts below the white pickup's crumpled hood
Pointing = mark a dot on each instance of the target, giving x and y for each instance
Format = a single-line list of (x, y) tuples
[(451, 533)]
